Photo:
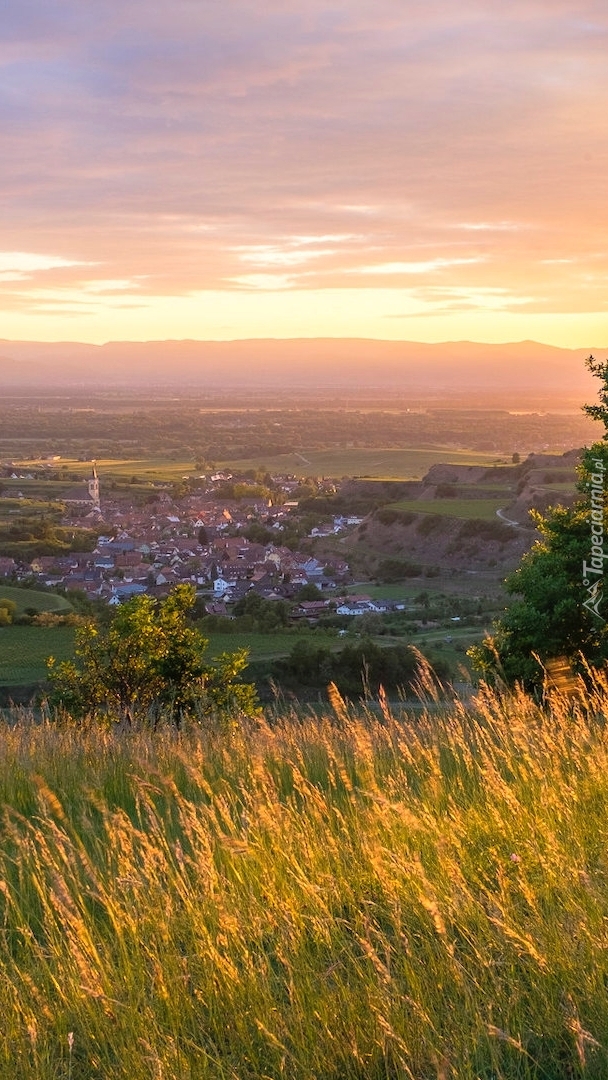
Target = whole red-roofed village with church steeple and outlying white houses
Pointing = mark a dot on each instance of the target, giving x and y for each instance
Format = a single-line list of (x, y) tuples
[(199, 539)]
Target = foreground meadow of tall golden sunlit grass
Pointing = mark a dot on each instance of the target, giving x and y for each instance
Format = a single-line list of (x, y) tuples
[(353, 897)]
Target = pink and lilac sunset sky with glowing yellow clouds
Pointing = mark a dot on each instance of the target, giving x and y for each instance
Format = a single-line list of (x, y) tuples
[(237, 169)]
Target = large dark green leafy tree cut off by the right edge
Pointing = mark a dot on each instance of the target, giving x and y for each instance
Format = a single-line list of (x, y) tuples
[(559, 586)]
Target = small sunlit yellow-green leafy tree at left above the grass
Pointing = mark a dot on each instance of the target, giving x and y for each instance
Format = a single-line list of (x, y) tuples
[(148, 663)]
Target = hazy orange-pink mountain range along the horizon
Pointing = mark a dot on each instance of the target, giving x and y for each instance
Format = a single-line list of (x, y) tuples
[(506, 374)]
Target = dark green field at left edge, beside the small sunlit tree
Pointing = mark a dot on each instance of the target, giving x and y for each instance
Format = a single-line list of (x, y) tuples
[(24, 652)]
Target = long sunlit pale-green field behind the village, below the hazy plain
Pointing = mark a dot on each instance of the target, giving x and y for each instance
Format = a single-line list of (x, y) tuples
[(407, 464)]
